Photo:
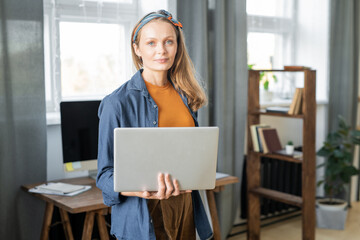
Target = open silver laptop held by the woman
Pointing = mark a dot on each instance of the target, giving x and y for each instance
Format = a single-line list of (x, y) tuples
[(187, 154)]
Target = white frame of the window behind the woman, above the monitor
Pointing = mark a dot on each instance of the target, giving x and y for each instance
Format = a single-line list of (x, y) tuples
[(56, 11)]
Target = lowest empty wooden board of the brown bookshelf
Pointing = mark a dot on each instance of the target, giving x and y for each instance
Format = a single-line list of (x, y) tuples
[(278, 196)]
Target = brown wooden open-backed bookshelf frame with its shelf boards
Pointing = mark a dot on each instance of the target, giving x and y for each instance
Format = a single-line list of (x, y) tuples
[(308, 161)]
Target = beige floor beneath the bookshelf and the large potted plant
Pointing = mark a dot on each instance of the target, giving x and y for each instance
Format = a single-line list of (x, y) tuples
[(291, 229)]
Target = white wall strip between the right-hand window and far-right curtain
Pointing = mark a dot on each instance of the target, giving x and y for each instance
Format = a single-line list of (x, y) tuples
[(312, 43)]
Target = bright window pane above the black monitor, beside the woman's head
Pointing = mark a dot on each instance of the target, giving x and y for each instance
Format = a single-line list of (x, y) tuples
[(92, 58)]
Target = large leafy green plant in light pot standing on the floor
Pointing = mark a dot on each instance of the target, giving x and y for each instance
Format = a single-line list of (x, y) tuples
[(338, 153)]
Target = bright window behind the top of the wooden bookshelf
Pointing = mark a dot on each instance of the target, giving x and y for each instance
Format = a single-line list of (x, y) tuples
[(271, 30)]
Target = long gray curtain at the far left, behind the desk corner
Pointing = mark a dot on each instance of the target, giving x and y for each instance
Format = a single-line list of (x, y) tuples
[(22, 117)]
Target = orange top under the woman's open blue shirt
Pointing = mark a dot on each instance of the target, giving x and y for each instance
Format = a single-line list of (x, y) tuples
[(172, 110)]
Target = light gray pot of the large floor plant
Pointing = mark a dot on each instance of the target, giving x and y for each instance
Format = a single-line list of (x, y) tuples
[(331, 216)]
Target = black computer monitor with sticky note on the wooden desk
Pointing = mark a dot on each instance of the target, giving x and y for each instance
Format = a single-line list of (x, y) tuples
[(79, 131)]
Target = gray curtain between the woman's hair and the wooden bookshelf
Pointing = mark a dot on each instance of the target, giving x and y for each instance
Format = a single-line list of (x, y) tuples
[(215, 33)]
